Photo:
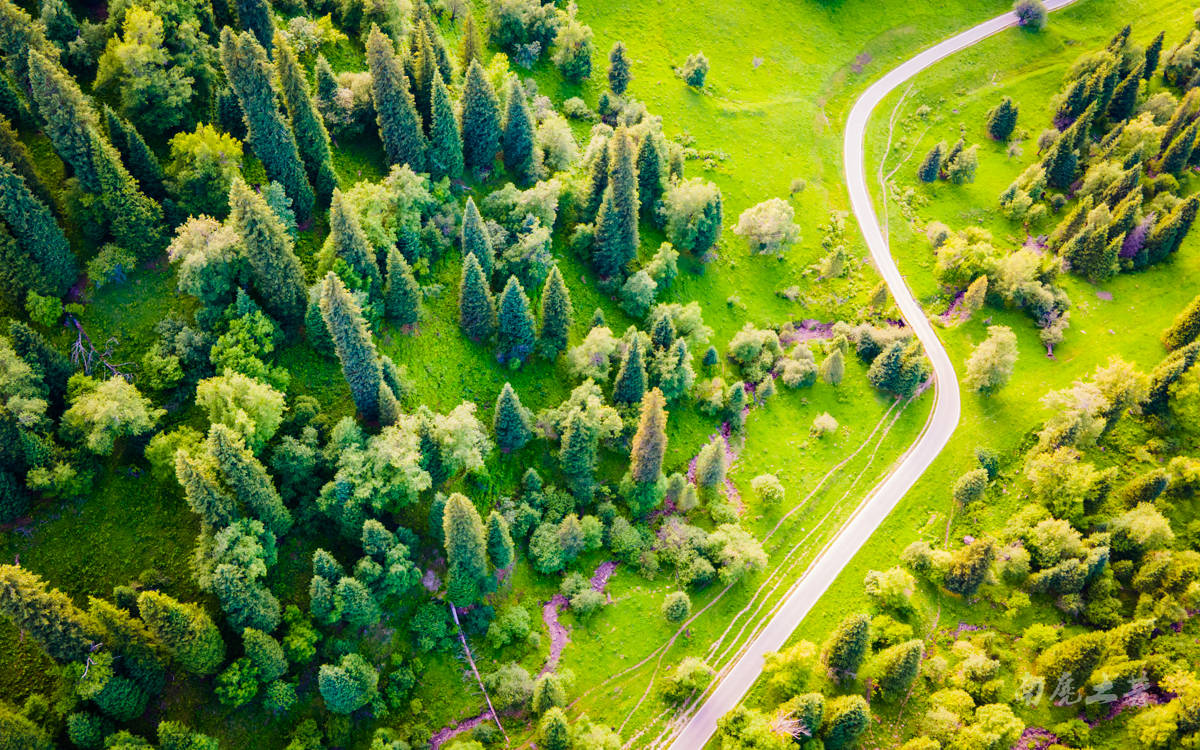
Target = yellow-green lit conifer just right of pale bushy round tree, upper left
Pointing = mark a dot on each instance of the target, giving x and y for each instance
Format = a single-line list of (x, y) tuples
[(277, 273)]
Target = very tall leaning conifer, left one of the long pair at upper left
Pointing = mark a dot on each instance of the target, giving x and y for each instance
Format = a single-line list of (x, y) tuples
[(253, 80)]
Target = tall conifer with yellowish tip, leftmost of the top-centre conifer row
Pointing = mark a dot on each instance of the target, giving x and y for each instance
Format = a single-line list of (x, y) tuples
[(400, 128)]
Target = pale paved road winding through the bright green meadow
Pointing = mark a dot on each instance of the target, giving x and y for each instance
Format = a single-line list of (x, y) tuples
[(944, 419)]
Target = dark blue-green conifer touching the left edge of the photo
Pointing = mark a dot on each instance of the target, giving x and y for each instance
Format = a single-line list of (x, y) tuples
[(38, 235)]
